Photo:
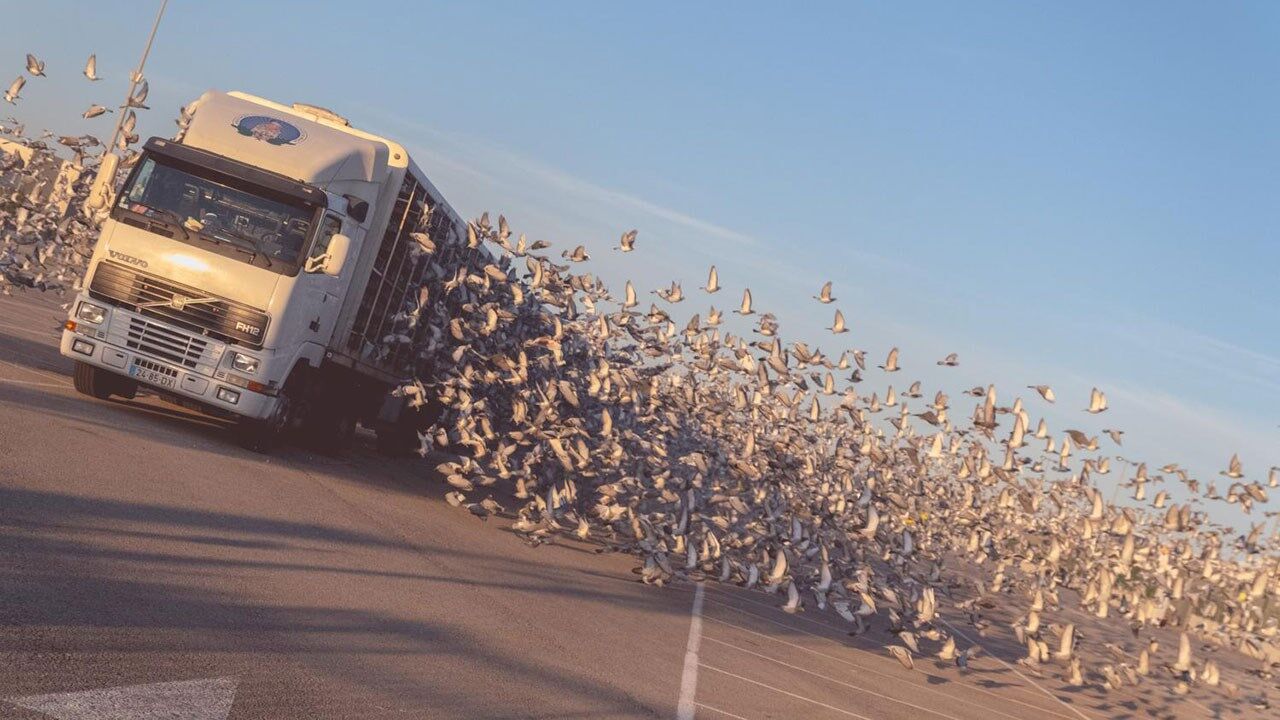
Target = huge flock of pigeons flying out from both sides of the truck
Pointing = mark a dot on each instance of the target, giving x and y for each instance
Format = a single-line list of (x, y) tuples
[(749, 459)]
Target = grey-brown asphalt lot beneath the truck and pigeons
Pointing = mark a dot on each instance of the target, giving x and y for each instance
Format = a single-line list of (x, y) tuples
[(150, 568)]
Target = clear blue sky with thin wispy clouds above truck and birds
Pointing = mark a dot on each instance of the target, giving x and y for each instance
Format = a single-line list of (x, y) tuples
[(1069, 194)]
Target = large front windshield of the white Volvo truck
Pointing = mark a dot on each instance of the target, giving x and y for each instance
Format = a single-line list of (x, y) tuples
[(262, 227)]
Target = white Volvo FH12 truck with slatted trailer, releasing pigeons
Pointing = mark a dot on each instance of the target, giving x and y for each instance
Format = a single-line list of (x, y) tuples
[(260, 267)]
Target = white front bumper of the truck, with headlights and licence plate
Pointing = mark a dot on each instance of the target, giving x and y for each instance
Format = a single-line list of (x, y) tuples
[(102, 347)]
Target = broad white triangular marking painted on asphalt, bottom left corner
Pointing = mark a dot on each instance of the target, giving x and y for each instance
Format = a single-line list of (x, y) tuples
[(191, 700)]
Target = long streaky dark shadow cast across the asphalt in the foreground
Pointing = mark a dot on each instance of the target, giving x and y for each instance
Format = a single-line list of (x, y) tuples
[(75, 584)]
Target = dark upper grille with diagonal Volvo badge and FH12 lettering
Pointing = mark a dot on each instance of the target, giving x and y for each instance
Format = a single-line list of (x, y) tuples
[(218, 318)]
